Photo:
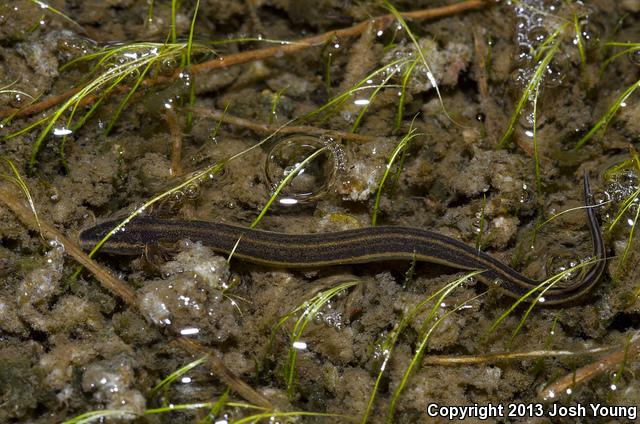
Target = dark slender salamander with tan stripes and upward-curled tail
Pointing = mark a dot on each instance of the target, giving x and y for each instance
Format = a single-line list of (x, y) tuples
[(345, 247)]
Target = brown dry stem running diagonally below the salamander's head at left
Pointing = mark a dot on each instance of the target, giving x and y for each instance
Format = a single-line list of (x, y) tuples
[(120, 289)]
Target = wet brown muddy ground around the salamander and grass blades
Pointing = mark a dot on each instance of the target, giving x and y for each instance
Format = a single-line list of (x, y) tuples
[(70, 346)]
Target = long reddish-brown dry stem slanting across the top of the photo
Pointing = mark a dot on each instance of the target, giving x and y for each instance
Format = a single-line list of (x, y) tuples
[(265, 53)]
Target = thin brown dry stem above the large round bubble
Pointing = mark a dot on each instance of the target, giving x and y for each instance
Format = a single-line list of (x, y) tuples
[(270, 129)]
